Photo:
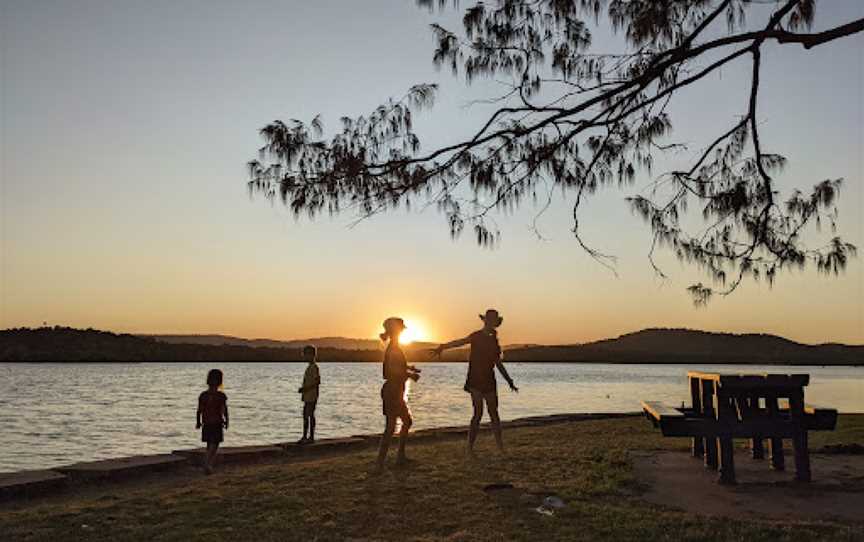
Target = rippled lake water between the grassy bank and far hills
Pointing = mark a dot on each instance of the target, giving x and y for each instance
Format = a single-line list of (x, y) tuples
[(56, 414)]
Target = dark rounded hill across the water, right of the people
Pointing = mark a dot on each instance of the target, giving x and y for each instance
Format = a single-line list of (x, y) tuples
[(691, 346)]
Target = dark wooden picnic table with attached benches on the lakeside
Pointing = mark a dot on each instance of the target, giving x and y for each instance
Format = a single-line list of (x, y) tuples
[(753, 406)]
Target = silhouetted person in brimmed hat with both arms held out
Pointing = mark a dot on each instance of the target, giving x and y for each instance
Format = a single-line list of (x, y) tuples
[(484, 357)]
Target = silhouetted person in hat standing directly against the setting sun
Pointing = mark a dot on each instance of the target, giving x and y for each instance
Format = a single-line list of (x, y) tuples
[(396, 373)]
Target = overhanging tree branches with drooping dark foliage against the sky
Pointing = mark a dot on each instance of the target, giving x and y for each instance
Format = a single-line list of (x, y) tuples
[(580, 120)]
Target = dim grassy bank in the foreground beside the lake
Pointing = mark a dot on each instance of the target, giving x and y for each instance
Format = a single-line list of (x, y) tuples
[(439, 497)]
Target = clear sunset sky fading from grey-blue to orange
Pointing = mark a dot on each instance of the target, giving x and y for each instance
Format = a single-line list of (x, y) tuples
[(125, 128)]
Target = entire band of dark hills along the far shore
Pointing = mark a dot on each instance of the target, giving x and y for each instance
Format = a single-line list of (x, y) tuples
[(679, 346)]
